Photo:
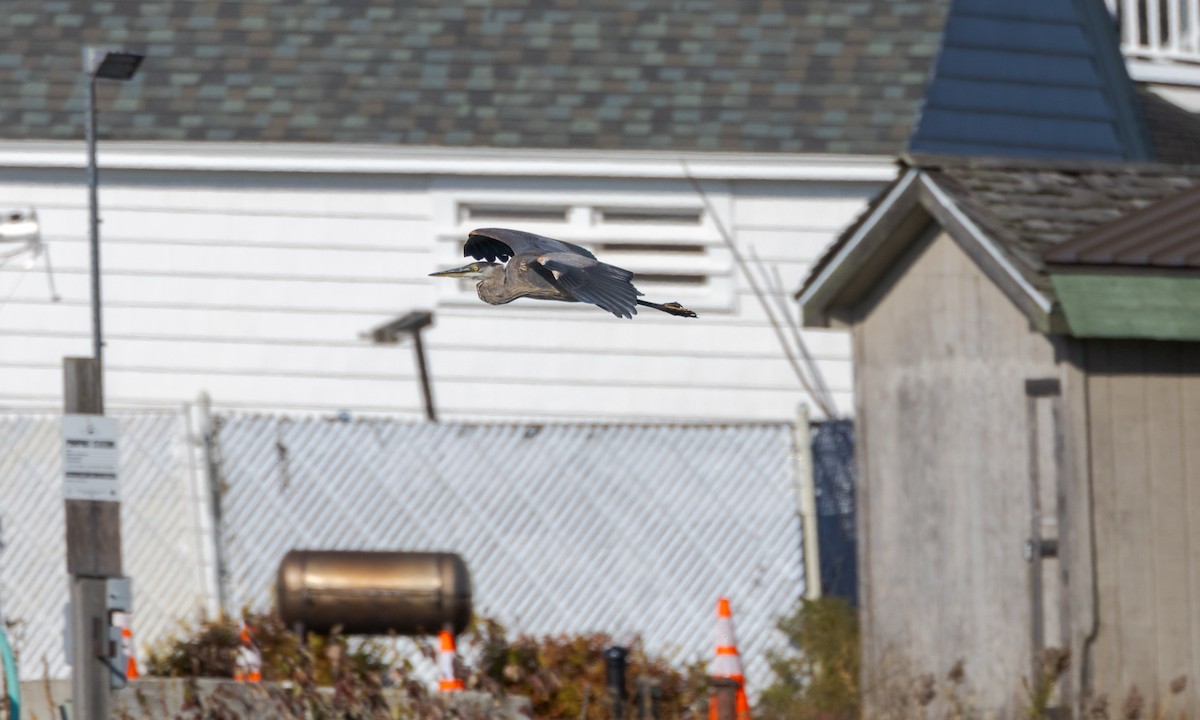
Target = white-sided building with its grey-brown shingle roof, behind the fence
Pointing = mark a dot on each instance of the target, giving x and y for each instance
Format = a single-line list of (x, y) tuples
[(279, 181)]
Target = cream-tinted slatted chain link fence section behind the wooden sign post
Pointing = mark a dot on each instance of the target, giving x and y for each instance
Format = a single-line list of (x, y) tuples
[(163, 543)]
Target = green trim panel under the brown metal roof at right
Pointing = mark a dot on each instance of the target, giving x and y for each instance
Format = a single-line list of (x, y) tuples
[(1151, 307)]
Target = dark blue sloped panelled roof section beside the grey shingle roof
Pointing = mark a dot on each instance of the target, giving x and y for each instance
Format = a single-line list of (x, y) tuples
[(1031, 79)]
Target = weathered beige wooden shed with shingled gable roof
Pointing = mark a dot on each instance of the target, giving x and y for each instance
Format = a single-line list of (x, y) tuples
[(1027, 343)]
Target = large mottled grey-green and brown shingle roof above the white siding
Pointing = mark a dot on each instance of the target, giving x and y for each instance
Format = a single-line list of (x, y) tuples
[(773, 76)]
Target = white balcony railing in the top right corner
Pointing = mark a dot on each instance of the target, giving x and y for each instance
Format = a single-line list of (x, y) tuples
[(1161, 32)]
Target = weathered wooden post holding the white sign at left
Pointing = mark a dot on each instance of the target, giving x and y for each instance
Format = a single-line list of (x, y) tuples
[(94, 555)]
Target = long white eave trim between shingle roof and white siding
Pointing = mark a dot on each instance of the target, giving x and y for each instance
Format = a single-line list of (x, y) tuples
[(345, 159)]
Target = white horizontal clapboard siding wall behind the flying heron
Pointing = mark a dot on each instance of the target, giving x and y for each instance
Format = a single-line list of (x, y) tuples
[(251, 277)]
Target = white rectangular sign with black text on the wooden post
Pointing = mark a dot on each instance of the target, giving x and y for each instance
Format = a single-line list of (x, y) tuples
[(89, 458)]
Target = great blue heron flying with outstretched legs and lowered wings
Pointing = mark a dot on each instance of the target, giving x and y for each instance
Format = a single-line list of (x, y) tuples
[(548, 269)]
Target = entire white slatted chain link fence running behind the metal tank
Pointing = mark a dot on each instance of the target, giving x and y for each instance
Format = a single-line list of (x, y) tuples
[(567, 529)]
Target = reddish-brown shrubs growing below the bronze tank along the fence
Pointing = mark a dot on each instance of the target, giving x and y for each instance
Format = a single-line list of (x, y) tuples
[(563, 676)]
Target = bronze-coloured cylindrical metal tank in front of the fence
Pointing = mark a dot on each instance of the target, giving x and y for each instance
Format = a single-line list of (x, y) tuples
[(375, 593)]
